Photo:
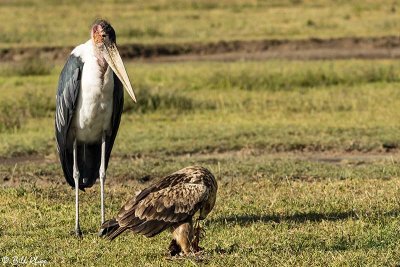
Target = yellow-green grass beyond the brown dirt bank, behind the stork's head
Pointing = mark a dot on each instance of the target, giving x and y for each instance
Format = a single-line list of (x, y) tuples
[(55, 23)]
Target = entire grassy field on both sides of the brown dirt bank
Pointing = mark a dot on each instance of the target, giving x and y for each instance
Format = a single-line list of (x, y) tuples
[(305, 152)]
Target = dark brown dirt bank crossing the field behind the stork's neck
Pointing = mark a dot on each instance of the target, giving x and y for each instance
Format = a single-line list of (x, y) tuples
[(310, 49)]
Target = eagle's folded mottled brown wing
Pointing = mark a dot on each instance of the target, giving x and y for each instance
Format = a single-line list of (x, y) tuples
[(163, 208)]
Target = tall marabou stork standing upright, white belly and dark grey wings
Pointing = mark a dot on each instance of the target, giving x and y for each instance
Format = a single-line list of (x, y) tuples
[(88, 110)]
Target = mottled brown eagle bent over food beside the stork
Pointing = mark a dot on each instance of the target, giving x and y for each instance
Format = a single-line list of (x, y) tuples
[(171, 202)]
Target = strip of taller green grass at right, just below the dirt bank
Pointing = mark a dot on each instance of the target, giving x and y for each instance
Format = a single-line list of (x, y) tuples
[(302, 77)]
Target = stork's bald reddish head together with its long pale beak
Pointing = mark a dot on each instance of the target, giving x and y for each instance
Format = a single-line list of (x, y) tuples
[(104, 40)]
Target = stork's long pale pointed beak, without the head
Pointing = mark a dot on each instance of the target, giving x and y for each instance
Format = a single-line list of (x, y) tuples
[(114, 60)]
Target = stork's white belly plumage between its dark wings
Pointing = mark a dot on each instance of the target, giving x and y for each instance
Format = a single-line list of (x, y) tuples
[(95, 104)]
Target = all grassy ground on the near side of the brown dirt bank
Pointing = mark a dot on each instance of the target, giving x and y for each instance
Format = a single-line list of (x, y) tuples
[(298, 149)]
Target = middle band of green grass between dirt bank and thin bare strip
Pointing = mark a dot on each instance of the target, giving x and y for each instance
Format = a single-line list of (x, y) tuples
[(273, 106)]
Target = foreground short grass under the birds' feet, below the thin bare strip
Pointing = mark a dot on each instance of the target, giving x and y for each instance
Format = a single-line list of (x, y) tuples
[(269, 211)]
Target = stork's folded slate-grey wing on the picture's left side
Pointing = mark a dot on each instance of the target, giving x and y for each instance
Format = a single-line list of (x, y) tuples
[(66, 100)]
